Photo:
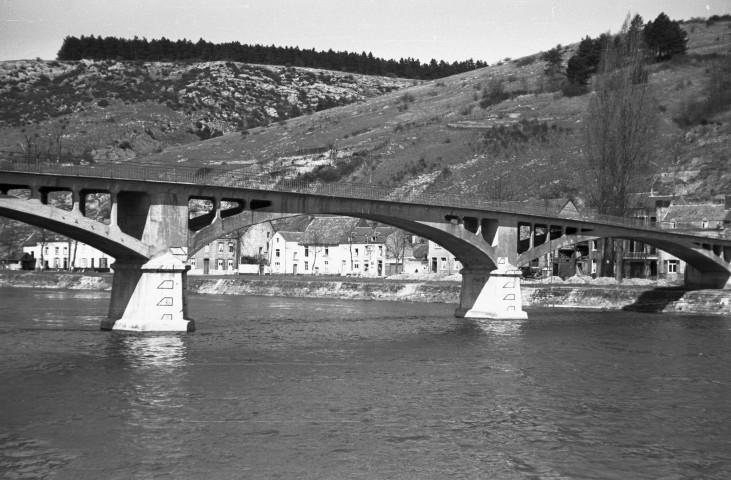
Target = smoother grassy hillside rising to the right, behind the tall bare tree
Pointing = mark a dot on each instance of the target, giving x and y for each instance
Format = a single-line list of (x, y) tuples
[(436, 136)]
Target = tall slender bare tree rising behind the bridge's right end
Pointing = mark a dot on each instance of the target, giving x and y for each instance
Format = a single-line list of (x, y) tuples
[(620, 128)]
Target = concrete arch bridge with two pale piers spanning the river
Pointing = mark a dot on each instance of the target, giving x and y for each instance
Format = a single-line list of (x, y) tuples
[(150, 219)]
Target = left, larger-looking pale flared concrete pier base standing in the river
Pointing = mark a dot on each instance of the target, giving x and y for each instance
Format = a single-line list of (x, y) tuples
[(149, 297)]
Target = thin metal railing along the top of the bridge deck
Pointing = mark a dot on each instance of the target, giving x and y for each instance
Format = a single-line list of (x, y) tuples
[(18, 162)]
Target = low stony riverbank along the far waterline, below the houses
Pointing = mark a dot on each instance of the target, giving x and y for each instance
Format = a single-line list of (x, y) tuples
[(645, 296)]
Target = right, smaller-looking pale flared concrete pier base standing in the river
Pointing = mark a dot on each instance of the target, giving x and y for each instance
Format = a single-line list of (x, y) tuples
[(491, 294)]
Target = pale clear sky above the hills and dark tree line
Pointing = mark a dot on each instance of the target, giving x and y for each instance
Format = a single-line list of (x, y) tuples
[(450, 30)]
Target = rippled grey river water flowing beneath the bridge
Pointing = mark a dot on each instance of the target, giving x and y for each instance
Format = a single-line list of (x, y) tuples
[(333, 389)]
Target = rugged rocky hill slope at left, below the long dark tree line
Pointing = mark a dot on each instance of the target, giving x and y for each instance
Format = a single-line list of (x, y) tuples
[(115, 111)]
